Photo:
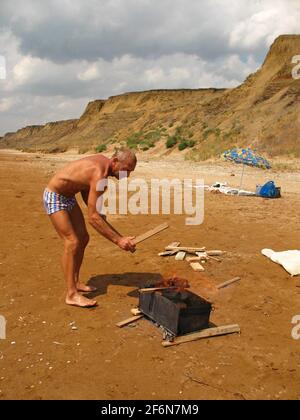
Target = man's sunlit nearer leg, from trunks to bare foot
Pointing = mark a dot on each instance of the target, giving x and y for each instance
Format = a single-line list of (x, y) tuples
[(71, 257)]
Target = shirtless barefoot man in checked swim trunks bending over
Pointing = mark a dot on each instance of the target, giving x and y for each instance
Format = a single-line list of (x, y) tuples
[(60, 204)]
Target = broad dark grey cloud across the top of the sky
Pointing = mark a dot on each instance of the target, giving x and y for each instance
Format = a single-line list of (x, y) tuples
[(62, 30)]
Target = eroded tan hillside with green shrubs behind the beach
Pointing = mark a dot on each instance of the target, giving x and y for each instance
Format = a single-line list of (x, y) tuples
[(262, 113)]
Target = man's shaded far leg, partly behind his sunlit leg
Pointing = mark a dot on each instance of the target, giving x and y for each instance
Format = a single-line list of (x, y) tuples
[(79, 226)]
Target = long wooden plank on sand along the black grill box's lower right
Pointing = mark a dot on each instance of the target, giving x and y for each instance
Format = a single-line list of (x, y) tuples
[(208, 333)]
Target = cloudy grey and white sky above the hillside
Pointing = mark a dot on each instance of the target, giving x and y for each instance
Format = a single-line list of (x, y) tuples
[(57, 55)]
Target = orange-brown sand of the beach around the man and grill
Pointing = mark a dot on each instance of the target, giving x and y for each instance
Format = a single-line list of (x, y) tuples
[(44, 358)]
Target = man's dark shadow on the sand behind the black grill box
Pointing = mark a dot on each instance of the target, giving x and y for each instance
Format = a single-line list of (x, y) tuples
[(137, 280)]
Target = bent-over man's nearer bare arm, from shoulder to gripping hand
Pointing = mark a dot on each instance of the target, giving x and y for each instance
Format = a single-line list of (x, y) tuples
[(102, 226)]
